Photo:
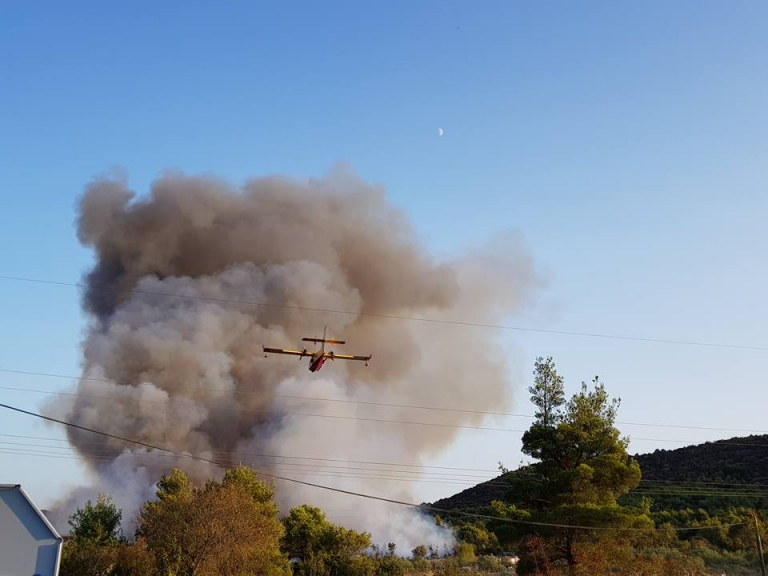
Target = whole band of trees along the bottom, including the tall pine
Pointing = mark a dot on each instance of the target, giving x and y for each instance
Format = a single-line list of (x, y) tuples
[(575, 511)]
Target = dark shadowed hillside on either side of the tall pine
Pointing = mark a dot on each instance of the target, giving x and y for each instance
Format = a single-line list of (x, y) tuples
[(704, 473)]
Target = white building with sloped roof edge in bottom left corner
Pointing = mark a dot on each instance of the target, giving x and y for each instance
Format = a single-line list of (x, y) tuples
[(29, 545)]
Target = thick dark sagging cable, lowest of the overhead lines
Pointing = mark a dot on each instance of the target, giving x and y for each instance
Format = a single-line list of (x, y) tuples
[(350, 492)]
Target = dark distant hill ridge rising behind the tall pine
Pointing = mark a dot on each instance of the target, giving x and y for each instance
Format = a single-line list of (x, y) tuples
[(740, 460)]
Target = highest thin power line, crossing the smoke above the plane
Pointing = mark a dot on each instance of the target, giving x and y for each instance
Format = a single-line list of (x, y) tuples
[(387, 316)]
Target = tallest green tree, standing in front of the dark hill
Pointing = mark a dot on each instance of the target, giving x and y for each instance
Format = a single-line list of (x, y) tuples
[(582, 468)]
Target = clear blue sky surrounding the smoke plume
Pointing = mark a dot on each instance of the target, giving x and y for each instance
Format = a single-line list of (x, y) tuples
[(627, 141)]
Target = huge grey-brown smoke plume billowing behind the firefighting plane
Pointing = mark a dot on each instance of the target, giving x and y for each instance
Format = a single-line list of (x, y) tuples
[(189, 373)]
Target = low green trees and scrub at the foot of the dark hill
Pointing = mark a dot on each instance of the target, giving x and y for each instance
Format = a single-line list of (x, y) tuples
[(727, 542)]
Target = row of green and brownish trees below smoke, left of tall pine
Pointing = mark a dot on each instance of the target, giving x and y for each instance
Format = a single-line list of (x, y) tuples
[(231, 528)]
